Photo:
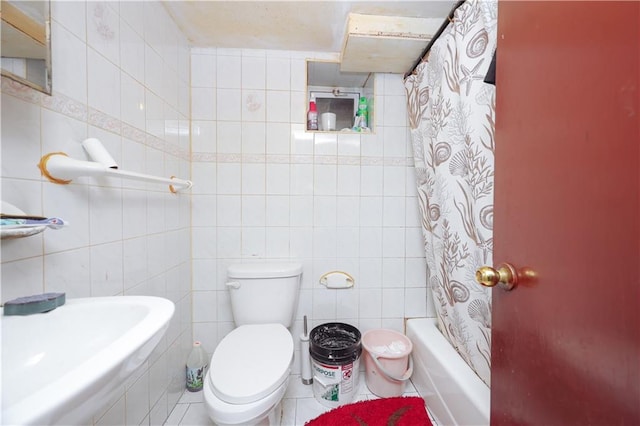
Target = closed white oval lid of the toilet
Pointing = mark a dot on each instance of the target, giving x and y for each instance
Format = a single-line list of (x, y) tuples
[(251, 362)]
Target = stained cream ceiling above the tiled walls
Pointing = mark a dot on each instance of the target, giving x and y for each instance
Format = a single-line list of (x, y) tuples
[(303, 25)]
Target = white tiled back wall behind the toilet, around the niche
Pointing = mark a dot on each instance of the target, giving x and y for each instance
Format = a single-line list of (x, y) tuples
[(331, 201)]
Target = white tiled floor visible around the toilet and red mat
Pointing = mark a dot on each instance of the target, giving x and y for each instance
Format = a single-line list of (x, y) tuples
[(299, 405)]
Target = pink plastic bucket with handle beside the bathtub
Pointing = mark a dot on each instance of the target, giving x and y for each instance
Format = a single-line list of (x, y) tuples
[(387, 361)]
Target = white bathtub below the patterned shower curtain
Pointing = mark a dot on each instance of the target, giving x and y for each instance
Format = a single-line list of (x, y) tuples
[(453, 393)]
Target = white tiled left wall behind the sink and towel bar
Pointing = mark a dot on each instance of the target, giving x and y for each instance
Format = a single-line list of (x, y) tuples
[(121, 74)]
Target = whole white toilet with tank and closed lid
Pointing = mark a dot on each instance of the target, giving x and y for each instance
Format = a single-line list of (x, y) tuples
[(249, 370)]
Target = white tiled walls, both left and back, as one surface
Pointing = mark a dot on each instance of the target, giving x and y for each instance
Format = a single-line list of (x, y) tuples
[(233, 121)]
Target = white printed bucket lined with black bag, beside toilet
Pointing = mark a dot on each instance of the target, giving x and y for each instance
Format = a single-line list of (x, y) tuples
[(335, 350)]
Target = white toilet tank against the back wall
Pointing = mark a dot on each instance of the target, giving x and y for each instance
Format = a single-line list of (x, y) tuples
[(263, 293)]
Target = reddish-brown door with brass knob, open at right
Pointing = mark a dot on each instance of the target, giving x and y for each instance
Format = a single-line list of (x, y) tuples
[(566, 346)]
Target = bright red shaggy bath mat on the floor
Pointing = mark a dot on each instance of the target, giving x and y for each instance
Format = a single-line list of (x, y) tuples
[(398, 411)]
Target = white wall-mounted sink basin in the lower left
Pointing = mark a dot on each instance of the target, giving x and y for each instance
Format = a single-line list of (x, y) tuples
[(59, 367)]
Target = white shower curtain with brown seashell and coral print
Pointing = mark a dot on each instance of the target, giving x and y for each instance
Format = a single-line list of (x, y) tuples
[(451, 115)]
